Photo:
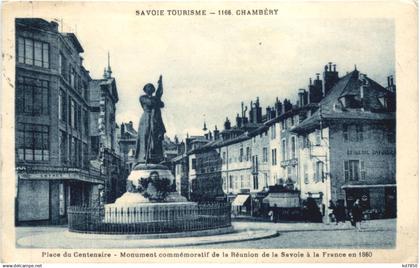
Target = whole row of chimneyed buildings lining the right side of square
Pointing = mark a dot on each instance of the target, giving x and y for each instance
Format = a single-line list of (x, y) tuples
[(328, 146)]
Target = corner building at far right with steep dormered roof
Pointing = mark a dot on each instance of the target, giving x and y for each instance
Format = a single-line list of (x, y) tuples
[(348, 147)]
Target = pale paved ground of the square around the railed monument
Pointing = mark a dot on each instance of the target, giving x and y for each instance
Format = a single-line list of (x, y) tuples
[(375, 234)]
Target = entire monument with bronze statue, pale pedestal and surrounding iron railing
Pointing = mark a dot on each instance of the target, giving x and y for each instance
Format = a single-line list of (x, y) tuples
[(151, 205)]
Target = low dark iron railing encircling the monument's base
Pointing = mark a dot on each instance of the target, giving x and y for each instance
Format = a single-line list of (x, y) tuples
[(206, 216)]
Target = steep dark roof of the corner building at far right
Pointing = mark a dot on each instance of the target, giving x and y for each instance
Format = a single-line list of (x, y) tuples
[(331, 106)]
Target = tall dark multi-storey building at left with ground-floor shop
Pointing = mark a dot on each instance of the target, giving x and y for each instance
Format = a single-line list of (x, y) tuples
[(52, 124)]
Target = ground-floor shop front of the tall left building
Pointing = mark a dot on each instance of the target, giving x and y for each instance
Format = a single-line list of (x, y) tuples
[(43, 195)]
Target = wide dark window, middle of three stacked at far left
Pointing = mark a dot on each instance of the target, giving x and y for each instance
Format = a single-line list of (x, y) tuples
[(32, 96)]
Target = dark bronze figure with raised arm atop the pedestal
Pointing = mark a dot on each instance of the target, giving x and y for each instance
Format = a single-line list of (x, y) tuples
[(151, 129)]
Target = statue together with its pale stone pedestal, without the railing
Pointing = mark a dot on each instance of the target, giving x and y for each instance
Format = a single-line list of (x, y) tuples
[(150, 181)]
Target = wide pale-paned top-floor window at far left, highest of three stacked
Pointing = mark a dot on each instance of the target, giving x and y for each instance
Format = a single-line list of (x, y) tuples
[(33, 52)]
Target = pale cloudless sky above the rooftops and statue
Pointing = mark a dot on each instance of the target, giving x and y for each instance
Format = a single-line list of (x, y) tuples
[(209, 65)]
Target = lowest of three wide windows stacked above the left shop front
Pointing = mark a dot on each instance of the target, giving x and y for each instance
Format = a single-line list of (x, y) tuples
[(32, 142)]
